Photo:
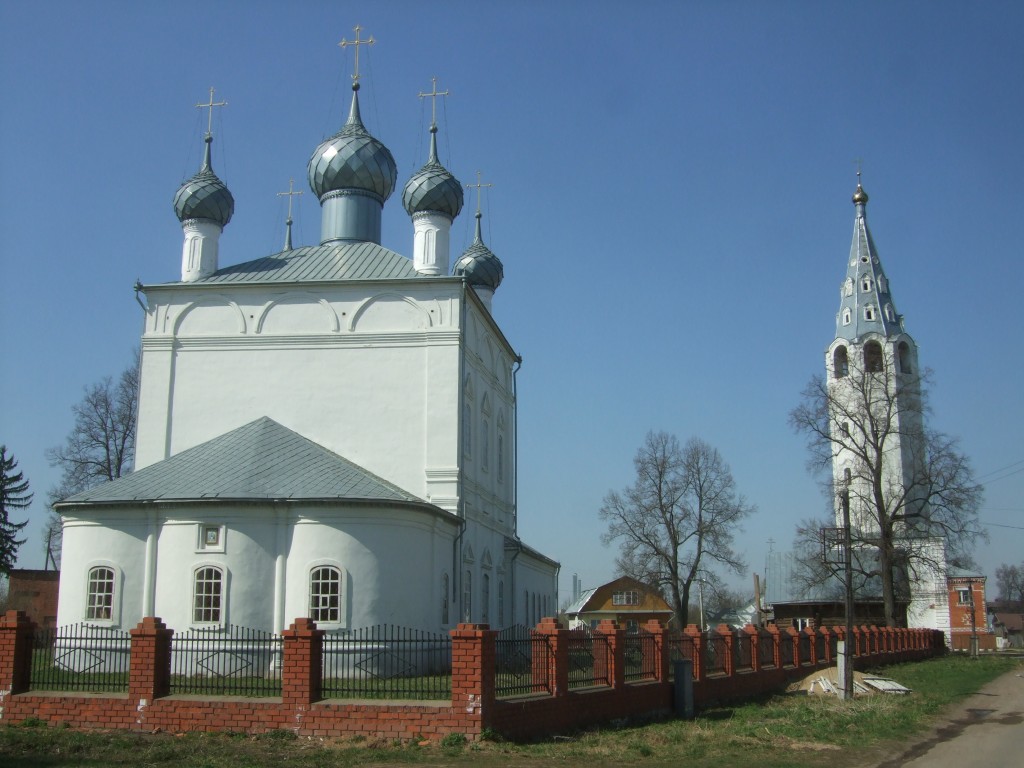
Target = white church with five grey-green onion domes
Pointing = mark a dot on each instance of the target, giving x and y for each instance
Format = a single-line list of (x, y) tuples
[(329, 432)]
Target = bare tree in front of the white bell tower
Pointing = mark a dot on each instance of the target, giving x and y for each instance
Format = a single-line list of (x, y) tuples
[(906, 485)]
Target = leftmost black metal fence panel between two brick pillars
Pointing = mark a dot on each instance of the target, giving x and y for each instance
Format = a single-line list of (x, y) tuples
[(80, 657)]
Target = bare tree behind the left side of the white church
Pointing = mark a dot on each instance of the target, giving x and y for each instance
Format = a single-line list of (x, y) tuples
[(101, 446)]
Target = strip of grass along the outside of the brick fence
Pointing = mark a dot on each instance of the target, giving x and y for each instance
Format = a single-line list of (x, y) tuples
[(778, 732)]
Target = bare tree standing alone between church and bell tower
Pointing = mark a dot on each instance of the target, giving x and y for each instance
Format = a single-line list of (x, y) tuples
[(678, 518)]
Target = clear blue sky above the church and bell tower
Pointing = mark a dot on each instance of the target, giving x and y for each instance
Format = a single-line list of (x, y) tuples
[(671, 202)]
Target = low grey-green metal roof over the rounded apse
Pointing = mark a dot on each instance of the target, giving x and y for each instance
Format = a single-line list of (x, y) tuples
[(260, 461)]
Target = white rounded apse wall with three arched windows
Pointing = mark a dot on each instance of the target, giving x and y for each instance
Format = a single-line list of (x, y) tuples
[(392, 559)]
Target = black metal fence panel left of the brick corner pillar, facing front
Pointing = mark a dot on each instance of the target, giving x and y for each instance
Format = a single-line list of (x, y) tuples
[(388, 662)]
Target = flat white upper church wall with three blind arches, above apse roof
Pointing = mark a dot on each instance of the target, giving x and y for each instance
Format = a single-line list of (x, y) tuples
[(378, 378)]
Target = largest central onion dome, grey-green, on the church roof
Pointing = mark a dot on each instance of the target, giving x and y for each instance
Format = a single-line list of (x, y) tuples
[(353, 160)]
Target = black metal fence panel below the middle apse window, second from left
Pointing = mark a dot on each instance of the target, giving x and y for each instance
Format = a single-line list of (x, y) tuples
[(228, 661)]
